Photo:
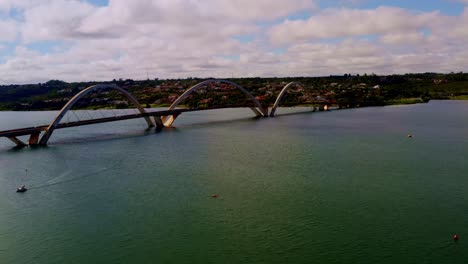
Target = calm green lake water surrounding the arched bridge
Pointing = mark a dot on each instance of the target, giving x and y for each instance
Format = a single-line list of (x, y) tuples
[(325, 187)]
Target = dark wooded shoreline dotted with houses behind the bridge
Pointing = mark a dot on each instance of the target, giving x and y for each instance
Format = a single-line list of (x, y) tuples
[(345, 90)]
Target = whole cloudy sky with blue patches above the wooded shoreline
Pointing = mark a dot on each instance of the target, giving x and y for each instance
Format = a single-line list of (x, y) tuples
[(101, 40)]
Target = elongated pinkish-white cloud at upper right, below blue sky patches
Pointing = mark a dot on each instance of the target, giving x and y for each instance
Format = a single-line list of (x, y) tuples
[(335, 23)]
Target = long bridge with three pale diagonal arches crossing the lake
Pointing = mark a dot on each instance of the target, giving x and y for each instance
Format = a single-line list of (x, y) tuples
[(157, 119)]
